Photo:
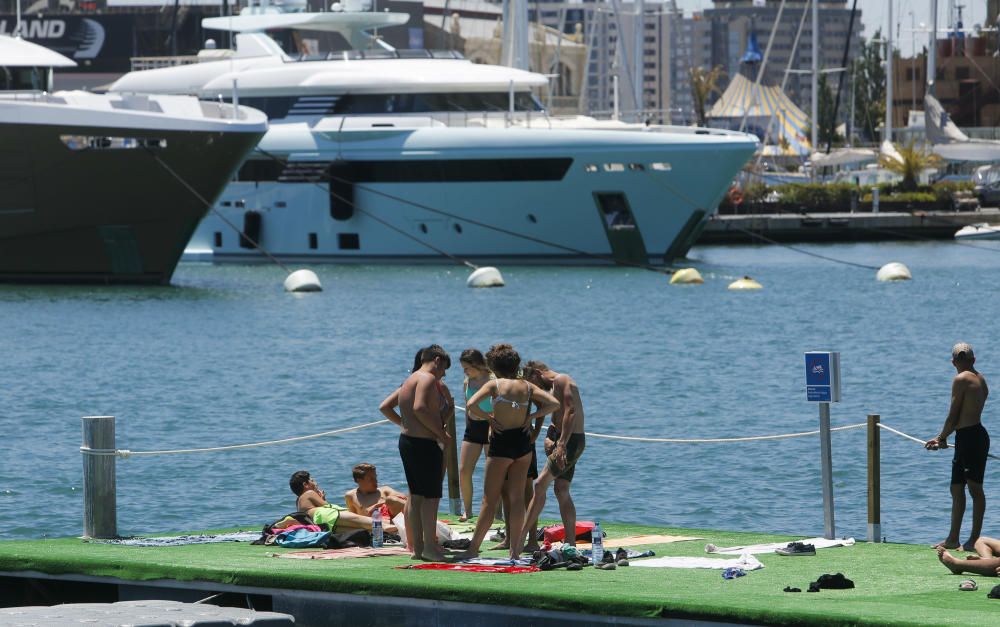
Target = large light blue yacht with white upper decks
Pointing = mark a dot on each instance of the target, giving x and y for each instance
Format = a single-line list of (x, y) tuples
[(407, 155)]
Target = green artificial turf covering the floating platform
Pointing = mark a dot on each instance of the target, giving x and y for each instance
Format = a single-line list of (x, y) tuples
[(896, 584)]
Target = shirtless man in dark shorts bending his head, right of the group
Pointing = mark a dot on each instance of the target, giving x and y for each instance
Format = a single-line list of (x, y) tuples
[(564, 444)]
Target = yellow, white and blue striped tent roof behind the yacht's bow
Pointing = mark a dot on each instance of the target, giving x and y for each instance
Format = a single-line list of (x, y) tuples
[(764, 107)]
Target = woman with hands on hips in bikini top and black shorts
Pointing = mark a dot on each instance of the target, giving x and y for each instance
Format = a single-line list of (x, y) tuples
[(510, 443)]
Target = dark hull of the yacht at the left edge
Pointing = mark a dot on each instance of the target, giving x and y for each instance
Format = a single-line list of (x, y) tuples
[(106, 215)]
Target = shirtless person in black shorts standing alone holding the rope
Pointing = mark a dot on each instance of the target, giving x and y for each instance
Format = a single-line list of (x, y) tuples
[(972, 445)]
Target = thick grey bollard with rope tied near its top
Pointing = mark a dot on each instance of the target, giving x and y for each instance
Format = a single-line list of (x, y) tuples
[(100, 515)]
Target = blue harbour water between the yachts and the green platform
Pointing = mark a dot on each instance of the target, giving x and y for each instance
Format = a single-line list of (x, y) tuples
[(224, 356)]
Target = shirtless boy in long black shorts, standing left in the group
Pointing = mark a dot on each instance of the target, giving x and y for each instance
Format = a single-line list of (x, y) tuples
[(421, 447)]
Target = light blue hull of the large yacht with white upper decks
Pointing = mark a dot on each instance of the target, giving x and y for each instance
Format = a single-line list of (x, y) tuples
[(487, 195)]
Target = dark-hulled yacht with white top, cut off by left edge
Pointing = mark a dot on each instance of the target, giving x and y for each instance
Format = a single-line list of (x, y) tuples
[(105, 189)]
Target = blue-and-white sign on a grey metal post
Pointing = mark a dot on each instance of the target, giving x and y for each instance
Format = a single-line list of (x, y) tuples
[(823, 387)]
